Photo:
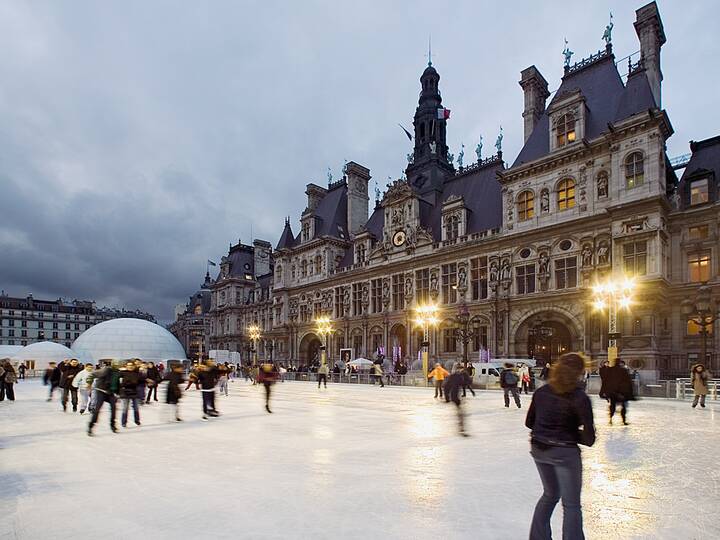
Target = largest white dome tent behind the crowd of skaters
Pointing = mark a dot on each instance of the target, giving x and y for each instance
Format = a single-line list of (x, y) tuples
[(120, 339)]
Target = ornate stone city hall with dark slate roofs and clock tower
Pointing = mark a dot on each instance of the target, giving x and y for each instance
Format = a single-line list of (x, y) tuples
[(510, 248)]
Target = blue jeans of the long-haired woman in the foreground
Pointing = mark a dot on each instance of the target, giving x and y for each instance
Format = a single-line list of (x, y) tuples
[(560, 470)]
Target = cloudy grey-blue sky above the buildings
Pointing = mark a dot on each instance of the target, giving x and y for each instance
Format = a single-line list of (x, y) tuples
[(139, 138)]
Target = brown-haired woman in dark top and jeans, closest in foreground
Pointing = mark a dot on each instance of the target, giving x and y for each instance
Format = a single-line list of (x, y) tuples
[(557, 412)]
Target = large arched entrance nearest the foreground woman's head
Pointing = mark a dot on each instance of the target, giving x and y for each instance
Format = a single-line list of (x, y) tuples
[(544, 337)]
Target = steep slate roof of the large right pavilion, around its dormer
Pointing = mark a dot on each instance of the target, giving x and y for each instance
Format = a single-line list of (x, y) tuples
[(607, 99)]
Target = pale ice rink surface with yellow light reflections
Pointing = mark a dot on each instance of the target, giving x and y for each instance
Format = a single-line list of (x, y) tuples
[(347, 462)]
